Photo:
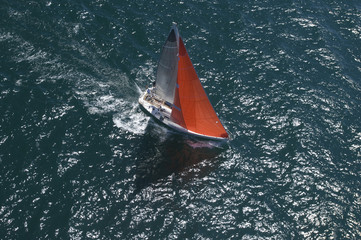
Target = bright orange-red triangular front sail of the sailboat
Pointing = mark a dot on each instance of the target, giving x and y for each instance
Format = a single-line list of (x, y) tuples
[(192, 109)]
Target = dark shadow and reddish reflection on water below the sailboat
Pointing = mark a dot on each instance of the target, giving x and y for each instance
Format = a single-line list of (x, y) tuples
[(163, 152)]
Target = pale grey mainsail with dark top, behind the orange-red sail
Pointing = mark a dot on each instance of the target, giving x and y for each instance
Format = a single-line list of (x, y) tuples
[(167, 67)]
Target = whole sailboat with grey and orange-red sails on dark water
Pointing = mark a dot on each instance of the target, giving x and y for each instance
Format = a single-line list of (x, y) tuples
[(177, 98)]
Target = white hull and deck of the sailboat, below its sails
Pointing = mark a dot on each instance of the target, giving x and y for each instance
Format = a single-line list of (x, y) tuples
[(158, 109)]
